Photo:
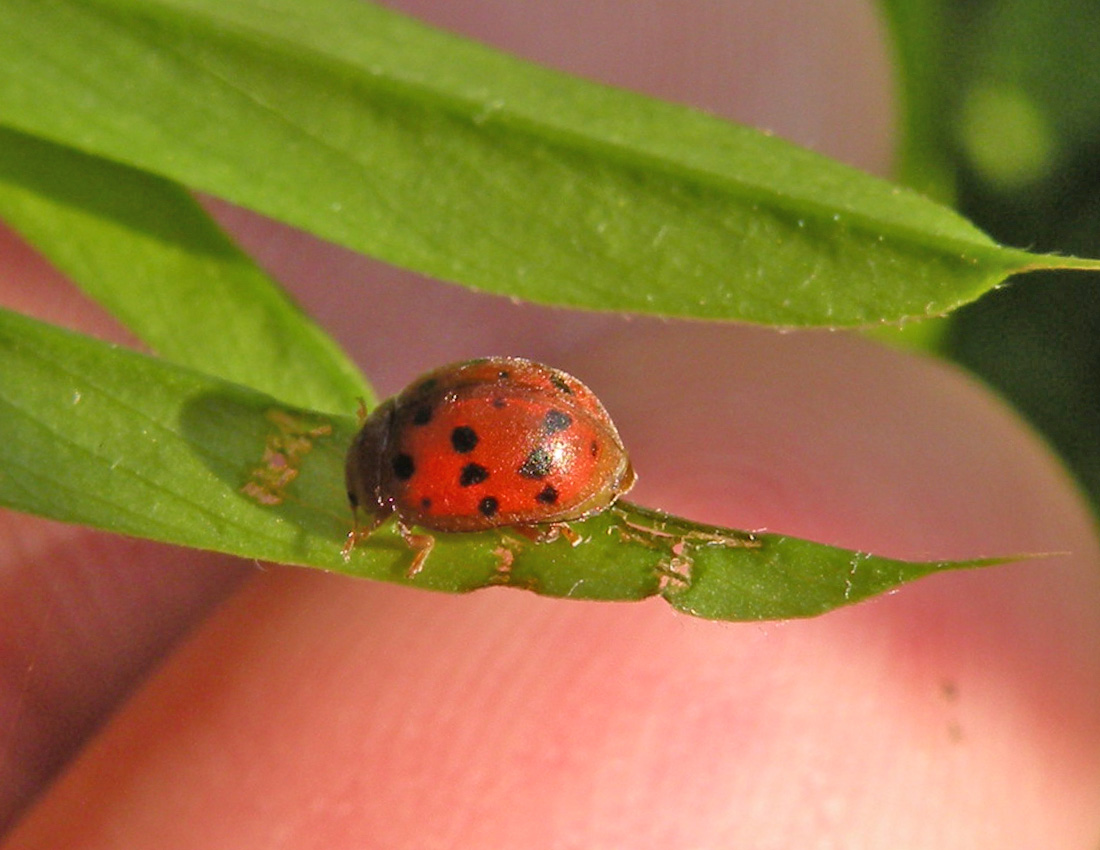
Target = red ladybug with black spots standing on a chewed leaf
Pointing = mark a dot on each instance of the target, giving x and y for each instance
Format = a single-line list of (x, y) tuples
[(483, 445)]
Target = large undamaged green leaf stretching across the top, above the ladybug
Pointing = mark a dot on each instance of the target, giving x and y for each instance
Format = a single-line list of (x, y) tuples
[(457, 161)]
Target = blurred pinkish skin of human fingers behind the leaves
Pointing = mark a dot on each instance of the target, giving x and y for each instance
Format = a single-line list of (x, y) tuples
[(251, 707)]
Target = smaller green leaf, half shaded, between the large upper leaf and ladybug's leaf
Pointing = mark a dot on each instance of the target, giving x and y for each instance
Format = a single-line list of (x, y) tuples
[(142, 248)]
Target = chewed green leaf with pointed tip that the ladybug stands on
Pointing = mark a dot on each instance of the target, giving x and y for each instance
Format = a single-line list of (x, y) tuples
[(106, 437)]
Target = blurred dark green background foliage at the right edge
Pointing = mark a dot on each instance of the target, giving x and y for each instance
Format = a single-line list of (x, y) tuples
[(1003, 106)]
